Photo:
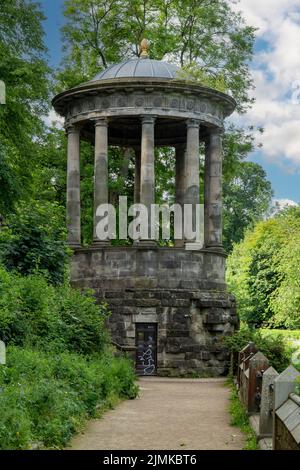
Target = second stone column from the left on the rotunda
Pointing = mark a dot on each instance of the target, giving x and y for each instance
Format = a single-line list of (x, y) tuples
[(100, 170)]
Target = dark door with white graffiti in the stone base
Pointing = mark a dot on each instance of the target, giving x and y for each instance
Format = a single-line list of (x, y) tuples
[(146, 343)]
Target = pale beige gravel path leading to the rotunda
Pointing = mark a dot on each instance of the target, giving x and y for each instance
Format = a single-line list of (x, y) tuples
[(169, 414)]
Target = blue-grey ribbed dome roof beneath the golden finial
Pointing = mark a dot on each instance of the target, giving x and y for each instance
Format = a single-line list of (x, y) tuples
[(141, 67)]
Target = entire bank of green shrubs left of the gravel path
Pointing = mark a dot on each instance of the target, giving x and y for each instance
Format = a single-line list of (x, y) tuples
[(60, 368)]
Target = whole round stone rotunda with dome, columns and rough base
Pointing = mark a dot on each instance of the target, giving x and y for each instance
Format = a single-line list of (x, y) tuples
[(170, 308)]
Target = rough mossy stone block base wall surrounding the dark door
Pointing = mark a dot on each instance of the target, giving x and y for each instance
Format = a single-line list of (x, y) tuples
[(190, 326)]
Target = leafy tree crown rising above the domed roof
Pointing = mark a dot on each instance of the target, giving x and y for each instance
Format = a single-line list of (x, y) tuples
[(206, 36)]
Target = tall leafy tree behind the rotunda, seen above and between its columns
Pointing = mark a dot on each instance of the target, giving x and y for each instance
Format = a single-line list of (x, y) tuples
[(209, 41)]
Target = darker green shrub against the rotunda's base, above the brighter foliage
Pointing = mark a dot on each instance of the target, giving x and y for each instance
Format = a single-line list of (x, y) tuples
[(35, 313)]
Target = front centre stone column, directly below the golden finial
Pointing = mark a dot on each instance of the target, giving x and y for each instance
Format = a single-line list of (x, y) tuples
[(147, 188)]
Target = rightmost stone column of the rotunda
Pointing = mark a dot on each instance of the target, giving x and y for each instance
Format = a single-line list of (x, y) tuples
[(213, 190)]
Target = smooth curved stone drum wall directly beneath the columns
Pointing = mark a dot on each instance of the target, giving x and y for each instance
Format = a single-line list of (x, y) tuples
[(146, 270)]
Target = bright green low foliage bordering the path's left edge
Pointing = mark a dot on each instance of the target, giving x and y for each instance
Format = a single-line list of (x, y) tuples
[(45, 397)]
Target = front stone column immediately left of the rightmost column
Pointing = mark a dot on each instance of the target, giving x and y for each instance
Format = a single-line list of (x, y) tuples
[(192, 167)]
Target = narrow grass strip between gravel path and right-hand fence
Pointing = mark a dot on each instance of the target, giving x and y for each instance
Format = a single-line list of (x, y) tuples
[(240, 419)]
